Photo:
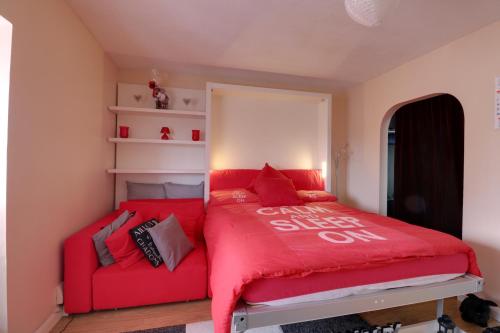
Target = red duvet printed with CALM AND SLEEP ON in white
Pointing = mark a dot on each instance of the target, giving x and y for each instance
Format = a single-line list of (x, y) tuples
[(246, 242)]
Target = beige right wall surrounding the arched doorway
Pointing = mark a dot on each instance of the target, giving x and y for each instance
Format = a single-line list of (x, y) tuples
[(465, 68)]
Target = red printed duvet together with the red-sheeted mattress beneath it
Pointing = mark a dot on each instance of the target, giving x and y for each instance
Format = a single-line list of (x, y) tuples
[(263, 253)]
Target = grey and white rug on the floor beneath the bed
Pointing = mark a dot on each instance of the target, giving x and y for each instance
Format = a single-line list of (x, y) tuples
[(329, 325)]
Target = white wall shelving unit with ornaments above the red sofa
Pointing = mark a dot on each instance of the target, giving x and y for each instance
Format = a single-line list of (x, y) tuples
[(143, 157)]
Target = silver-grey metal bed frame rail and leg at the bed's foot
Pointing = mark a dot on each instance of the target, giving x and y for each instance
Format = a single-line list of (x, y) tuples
[(247, 317)]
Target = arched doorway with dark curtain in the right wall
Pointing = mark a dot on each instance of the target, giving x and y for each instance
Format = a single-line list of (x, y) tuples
[(425, 160)]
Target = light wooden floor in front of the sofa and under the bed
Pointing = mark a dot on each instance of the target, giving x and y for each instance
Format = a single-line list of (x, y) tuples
[(180, 313)]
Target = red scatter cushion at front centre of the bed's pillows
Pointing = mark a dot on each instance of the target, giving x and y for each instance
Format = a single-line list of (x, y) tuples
[(277, 192)]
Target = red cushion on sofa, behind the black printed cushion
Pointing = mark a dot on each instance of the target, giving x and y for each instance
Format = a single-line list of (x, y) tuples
[(122, 247)]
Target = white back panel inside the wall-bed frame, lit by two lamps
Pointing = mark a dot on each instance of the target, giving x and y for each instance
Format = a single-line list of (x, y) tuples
[(248, 131)]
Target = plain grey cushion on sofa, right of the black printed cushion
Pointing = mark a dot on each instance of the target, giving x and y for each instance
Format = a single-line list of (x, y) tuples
[(171, 241)]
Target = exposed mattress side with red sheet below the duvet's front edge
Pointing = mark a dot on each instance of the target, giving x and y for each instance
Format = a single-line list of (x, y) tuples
[(337, 284)]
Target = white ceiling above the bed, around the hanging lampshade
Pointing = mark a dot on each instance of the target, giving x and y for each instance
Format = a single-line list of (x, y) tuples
[(302, 40)]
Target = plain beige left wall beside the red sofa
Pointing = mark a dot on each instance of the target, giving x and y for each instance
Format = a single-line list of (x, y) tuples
[(61, 82)]
